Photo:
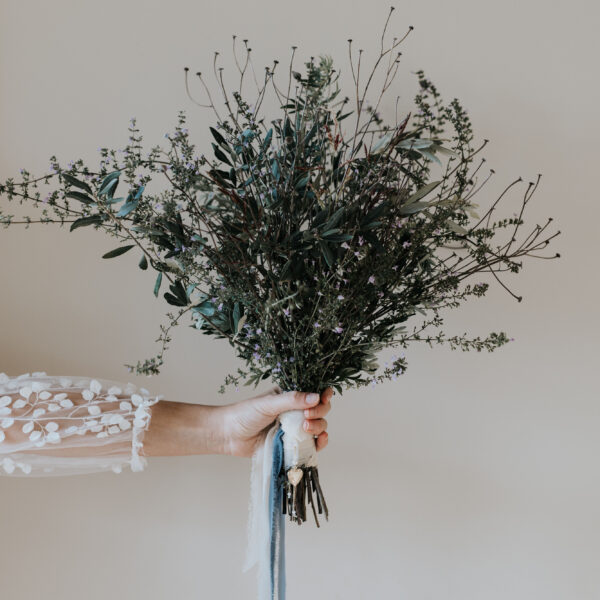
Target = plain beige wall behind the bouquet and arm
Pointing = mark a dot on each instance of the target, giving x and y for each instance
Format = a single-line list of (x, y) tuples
[(481, 472)]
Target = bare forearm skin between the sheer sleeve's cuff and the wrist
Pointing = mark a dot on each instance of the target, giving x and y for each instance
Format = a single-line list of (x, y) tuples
[(181, 429)]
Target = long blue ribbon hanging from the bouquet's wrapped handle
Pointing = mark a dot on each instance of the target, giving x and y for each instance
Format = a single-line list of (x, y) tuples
[(277, 520)]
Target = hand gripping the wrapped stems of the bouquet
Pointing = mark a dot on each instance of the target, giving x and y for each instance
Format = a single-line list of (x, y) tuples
[(247, 422)]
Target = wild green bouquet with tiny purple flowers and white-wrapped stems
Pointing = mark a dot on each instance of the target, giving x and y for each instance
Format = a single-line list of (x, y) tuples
[(311, 238)]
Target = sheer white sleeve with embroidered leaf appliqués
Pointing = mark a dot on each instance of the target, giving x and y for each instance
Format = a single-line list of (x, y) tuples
[(64, 425)]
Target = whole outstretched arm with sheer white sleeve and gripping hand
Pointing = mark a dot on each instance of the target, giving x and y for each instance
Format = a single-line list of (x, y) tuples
[(52, 425)]
